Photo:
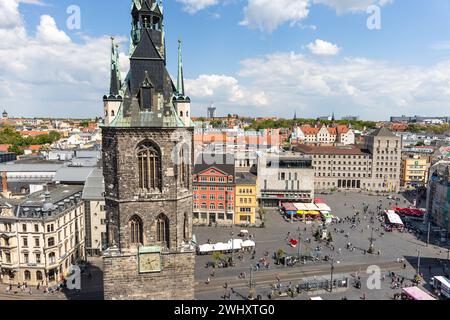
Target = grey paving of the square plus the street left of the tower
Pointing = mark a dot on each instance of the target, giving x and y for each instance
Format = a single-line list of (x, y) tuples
[(393, 246)]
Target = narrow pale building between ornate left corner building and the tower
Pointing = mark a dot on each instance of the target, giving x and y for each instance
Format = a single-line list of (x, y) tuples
[(95, 214)]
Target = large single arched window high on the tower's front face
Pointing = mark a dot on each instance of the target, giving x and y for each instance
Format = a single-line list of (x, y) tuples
[(149, 168)]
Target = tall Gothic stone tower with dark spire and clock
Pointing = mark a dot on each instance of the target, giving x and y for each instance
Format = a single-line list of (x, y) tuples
[(147, 166)]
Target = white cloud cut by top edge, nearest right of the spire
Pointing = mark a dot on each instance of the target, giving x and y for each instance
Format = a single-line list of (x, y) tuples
[(267, 15)]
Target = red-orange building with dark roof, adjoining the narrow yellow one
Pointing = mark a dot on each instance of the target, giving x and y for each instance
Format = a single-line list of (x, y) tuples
[(214, 190)]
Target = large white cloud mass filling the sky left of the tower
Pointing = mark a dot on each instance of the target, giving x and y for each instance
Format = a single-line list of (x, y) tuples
[(49, 74)]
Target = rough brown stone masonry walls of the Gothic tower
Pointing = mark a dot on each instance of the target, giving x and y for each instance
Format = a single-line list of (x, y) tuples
[(124, 199)]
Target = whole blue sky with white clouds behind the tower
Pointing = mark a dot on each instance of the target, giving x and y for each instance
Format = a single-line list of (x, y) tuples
[(309, 56)]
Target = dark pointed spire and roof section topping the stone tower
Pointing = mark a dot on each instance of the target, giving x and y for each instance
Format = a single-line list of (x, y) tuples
[(150, 97)]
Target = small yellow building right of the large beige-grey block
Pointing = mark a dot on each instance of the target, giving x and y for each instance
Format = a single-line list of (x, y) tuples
[(414, 171)]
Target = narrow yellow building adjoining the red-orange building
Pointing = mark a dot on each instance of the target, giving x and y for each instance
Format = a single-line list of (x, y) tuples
[(246, 204)]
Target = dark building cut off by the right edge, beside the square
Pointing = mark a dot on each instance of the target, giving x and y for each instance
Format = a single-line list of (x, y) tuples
[(438, 196)]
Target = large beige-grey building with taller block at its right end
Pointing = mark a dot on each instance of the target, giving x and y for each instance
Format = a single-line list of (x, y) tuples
[(372, 166)]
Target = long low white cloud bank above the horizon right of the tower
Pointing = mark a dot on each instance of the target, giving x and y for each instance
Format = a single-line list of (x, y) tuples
[(291, 81)]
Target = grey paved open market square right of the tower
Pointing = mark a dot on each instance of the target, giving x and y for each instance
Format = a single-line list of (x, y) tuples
[(392, 245)]
